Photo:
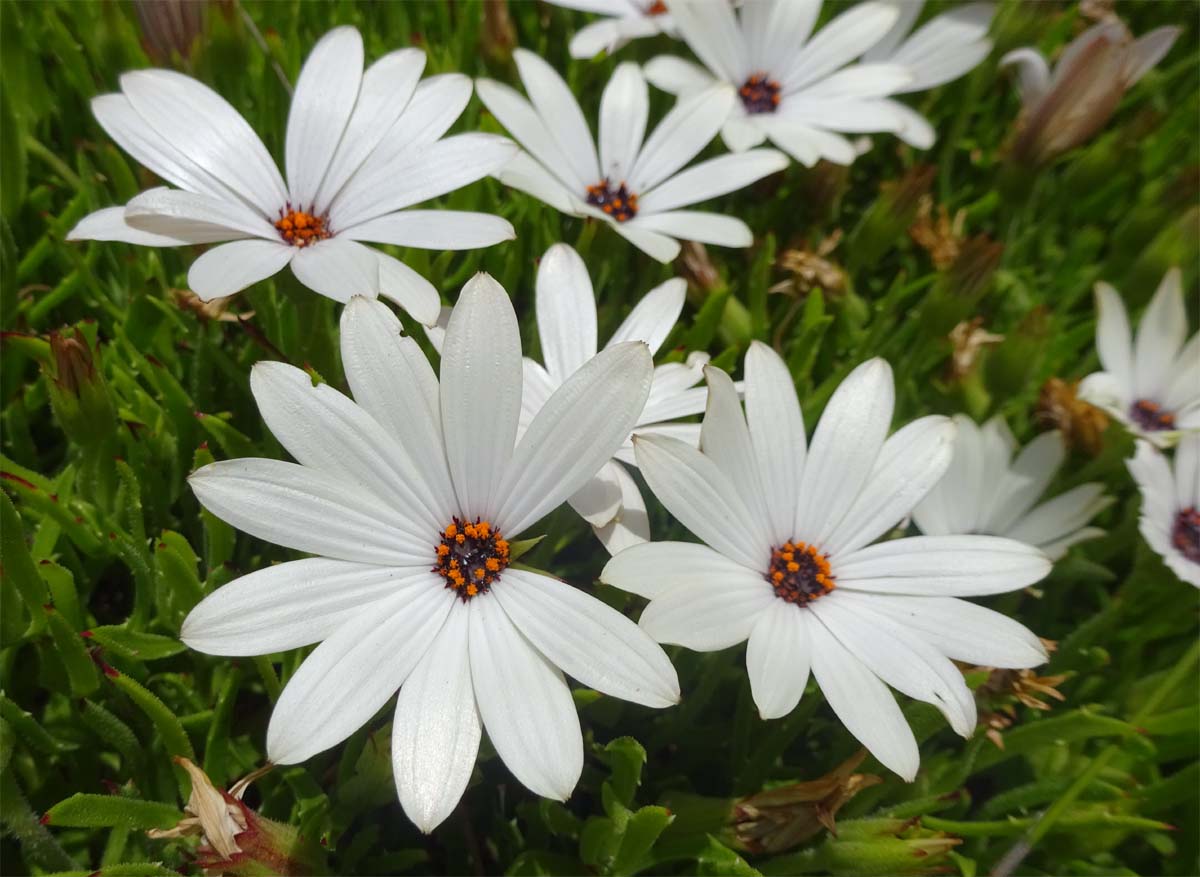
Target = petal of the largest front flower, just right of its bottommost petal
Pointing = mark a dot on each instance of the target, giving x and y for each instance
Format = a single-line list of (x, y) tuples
[(525, 705)]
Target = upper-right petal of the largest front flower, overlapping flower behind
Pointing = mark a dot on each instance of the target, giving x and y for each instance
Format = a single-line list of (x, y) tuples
[(579, 429)]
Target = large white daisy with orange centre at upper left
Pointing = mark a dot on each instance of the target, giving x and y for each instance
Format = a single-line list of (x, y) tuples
[(361, 148)]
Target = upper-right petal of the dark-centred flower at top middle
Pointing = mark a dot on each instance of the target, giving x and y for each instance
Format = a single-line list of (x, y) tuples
[(691, 127)]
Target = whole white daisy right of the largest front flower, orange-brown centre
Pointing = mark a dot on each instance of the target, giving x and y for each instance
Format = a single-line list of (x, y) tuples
[(788, 562)]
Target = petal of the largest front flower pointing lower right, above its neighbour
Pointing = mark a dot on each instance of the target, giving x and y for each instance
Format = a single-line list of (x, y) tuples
[(589, 640)]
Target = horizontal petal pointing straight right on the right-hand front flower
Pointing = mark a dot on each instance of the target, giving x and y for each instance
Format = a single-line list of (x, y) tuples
[(943, 567)]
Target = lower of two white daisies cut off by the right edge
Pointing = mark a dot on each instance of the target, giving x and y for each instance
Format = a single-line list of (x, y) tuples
[(1171, 504)]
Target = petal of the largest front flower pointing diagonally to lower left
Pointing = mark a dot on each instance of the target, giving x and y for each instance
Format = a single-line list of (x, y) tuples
[(353, 674)]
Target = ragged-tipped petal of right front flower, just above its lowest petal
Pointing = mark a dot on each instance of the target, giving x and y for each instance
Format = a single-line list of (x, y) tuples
[(904, 662)]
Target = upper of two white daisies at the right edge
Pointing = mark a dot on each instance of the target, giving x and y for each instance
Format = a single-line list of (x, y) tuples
[(1151, 383)]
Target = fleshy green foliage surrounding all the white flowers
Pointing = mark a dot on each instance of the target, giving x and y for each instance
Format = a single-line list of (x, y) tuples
[(105, 550)]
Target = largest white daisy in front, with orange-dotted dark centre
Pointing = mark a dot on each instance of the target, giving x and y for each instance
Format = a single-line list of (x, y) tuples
[(410, 497)]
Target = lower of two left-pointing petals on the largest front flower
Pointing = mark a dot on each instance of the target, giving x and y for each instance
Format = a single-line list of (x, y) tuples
[(290, 605)]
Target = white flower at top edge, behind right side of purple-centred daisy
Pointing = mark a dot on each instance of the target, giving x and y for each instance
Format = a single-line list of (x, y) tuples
[(941, 51)]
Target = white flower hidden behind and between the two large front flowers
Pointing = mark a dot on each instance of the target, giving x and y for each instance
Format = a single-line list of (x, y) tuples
[(567, 327)]
